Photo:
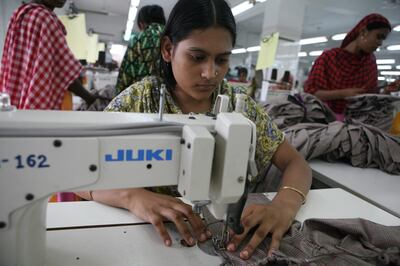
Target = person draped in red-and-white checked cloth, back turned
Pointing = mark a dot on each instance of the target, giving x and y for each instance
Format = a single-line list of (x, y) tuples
[(37, 67)]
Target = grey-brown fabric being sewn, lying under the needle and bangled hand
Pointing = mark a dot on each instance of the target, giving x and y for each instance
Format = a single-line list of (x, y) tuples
[(320, 242)]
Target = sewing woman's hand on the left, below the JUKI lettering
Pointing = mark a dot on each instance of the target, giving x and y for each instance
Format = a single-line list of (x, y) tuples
[(155, 208)]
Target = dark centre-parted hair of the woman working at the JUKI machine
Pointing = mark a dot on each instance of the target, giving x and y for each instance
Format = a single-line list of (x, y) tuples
[(189, 15)]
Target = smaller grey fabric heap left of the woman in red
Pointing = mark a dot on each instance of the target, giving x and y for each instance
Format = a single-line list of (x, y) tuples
[(299, 108)]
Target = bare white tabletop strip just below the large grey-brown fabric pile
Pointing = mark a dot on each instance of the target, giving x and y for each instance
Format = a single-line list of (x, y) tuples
[(373, 185)]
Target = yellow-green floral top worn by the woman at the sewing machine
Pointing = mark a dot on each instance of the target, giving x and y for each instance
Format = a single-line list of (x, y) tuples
[(143, 97)]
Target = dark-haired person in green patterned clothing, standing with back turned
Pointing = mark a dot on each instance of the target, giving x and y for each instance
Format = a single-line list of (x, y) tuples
[(142, 55)]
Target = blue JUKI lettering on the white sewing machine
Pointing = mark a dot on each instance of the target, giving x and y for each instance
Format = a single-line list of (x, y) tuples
[(140, 155)]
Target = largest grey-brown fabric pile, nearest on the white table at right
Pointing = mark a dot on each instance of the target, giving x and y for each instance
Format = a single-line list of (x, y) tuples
[(362, 145)]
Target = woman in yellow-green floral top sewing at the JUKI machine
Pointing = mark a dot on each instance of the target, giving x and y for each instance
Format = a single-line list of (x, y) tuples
[(196, 47)]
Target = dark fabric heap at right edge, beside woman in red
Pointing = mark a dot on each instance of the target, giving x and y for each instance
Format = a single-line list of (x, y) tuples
[(372, 109)]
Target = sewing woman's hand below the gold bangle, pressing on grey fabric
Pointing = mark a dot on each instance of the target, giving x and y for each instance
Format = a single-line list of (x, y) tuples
[(274, 218)]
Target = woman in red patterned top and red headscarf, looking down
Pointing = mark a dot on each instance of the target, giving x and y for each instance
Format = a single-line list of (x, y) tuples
[(351, 69)]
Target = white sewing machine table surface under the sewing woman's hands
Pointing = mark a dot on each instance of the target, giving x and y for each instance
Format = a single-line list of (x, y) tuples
[(89, 233)]
